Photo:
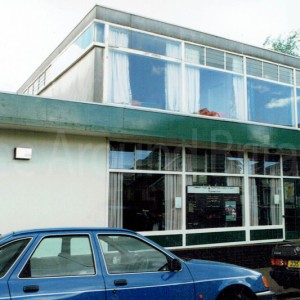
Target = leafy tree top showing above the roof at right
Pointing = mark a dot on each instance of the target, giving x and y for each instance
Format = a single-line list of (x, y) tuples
[(285, 44)]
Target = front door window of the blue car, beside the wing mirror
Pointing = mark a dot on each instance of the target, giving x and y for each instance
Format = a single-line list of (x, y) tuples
[(126, 254)]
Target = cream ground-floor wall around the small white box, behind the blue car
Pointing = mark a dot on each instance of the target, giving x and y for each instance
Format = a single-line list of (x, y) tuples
[(64, 184)]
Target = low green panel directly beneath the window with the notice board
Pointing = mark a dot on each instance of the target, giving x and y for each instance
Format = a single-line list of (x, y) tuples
[(215, 238)]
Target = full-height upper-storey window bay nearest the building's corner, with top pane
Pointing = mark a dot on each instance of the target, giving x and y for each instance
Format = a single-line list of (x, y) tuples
[(140, 79)]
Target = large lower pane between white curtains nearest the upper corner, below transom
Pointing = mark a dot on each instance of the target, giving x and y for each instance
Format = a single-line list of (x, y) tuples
[(144, 81)]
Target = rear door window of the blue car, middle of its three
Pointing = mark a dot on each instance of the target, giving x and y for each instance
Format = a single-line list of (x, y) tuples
[(61, 256)]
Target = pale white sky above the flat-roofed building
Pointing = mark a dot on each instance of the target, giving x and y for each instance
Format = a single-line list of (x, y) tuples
[(31, 29)]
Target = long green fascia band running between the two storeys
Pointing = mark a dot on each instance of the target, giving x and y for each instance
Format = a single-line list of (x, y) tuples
[(36, 113)]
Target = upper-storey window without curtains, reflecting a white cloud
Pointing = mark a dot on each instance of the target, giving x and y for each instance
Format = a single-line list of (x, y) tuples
[(270, 102)]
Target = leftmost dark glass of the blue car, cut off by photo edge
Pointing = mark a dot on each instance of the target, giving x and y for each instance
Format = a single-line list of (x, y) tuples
[(9, 254)]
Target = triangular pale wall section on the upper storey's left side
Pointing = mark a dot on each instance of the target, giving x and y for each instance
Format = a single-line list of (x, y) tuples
[(77, 83)]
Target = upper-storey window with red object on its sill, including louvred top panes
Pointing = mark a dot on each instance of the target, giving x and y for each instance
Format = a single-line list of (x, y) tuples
[(212, 92)]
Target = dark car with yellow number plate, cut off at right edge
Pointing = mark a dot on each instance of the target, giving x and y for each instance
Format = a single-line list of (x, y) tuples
[(285, 263)]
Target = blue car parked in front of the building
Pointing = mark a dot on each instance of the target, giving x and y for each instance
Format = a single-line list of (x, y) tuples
[(111, 264)]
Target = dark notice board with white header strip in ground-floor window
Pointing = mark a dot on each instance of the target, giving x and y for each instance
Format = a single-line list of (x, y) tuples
[(211, 207)]
